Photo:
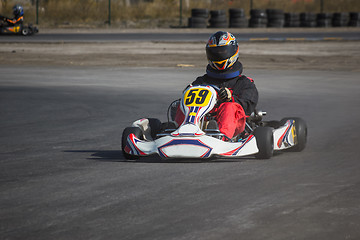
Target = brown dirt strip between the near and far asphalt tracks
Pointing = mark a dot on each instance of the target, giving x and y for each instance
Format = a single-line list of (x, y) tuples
[(320, 55)]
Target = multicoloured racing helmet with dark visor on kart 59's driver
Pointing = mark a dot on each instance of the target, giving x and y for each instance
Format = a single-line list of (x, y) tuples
[(222, 50)]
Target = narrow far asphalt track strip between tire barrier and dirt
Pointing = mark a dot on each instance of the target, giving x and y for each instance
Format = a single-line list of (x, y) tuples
[(182, 36)]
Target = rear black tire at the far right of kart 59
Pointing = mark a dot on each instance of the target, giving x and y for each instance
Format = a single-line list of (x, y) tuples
[(300, 131)]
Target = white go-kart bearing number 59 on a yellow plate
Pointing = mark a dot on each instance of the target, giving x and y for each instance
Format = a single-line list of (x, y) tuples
[(199, 137)]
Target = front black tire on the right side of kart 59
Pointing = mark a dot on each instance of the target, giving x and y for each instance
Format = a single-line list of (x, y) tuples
[(265, 142)]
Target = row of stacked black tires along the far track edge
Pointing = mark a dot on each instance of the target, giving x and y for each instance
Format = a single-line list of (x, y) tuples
[(271, 18)]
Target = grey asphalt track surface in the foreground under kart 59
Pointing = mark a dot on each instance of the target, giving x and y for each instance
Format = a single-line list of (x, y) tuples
[(63, 175)]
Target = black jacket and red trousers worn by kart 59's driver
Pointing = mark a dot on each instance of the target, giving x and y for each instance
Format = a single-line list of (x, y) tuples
[(230, 116)]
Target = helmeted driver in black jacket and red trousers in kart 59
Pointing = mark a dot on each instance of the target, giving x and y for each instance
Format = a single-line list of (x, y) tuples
[(238, 94)]
